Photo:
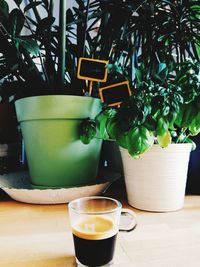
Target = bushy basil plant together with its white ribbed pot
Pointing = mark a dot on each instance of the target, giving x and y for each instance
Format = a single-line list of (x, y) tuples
[(153, 129)]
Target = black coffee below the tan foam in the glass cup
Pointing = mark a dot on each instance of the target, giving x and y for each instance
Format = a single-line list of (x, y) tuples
[(94, 252)]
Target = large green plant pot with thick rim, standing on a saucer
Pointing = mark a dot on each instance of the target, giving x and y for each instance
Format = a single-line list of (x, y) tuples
[(56, 156)]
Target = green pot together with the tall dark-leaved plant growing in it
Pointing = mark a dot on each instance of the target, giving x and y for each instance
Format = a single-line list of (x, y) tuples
[(51, 102)]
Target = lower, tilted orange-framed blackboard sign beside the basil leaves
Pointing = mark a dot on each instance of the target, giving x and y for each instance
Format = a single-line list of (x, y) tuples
[(115, 94)]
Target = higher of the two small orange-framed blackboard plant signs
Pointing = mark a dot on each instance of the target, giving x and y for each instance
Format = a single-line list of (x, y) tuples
[(92, 69)]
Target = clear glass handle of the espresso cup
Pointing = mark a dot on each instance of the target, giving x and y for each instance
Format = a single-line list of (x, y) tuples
[(128, 221)]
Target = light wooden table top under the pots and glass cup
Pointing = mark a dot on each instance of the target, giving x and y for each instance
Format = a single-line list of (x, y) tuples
[(39, 236)]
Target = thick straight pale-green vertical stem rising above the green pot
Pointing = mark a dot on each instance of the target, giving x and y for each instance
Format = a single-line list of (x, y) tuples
[(62, 44)]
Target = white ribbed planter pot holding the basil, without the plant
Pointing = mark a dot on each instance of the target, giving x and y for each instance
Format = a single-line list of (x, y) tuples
[(157, 180)]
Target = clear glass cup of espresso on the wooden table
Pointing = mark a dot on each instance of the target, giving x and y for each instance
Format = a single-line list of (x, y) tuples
[(95, 222)]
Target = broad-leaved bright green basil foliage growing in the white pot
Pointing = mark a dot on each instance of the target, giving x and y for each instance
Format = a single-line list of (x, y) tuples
[(157, 112)]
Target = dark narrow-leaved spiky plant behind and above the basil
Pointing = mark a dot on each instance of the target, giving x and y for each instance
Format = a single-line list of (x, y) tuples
[(156, 32)]
